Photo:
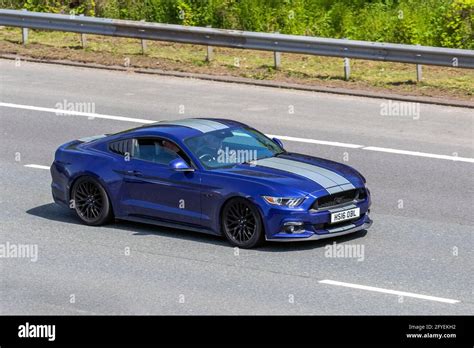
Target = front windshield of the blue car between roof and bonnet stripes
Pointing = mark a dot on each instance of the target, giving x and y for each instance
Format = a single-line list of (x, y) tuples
[(228, 147)]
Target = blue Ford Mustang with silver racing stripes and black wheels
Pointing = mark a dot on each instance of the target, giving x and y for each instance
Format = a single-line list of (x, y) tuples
[(210, 175)]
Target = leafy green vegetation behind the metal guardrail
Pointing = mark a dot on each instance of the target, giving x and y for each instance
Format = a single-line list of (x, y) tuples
[(444, 23)]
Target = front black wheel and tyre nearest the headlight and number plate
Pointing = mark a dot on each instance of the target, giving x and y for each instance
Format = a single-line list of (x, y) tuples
[(242, 224)]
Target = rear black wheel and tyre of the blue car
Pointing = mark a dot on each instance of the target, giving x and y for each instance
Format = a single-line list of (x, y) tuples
[(91, 202)]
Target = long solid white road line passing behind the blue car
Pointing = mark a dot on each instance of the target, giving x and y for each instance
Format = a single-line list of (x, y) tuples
[(282, 137)]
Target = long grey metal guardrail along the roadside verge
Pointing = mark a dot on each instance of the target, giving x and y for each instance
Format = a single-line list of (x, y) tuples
[(241, 39)]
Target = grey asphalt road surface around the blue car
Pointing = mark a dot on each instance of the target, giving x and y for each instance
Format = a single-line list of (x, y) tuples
[(421, 241)]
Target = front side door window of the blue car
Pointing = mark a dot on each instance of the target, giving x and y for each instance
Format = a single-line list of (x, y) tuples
[(156, 150)]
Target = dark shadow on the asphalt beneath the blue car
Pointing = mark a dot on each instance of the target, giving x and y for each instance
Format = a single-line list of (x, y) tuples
[(54, 212)]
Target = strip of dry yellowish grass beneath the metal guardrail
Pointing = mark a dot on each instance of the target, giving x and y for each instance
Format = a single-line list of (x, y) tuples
[(327, 71)]
